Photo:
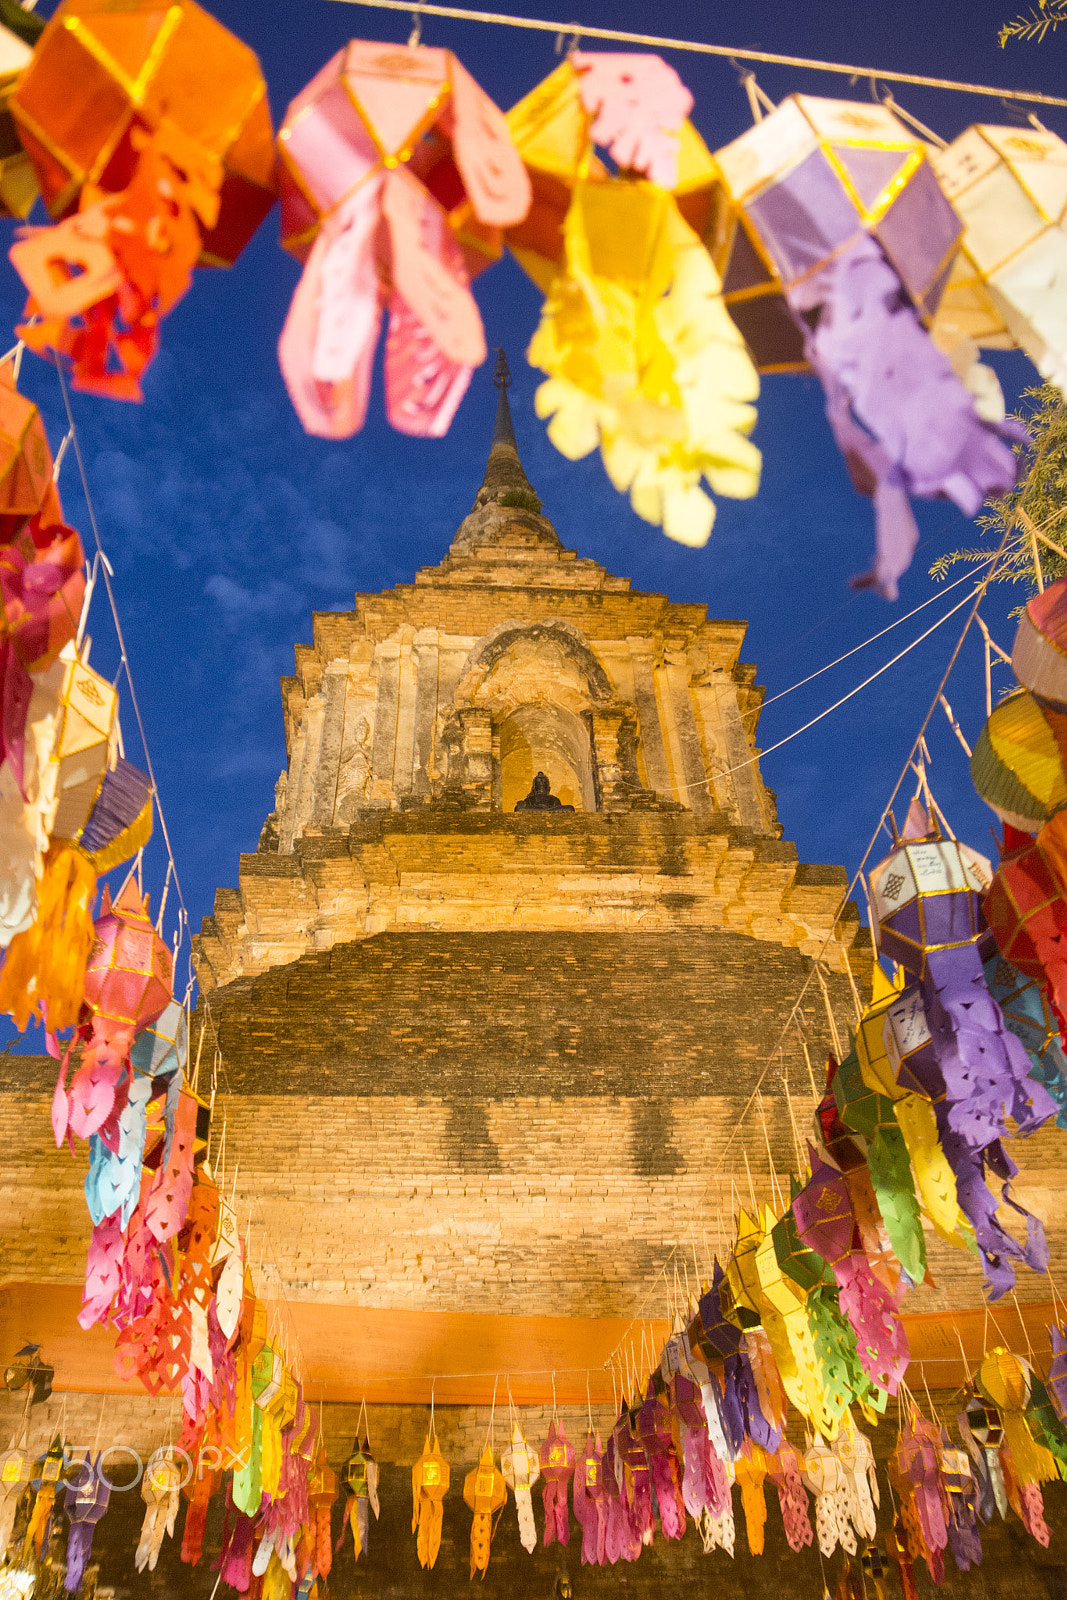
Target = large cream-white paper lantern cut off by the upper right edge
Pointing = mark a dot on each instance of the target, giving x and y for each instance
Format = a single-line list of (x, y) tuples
[(1010, 190)]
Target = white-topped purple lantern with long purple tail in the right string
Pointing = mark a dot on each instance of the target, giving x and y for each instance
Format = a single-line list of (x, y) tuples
[(927, 898)]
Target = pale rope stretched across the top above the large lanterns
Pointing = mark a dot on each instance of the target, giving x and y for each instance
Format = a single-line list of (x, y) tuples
[(700, 49)]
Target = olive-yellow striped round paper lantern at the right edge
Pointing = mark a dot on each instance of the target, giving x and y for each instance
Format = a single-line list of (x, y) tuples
[(1018, 762)]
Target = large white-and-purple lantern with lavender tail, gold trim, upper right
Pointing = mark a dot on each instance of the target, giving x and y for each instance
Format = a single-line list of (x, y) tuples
[(845, 217)]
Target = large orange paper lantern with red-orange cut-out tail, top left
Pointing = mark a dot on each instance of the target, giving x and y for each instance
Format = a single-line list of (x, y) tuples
[(151, 137)]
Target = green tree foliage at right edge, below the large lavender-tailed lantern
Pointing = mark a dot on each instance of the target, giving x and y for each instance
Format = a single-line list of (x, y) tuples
[(1042, 494)]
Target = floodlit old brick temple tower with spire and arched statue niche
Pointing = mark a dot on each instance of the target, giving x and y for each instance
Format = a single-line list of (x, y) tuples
[(482, 1068)]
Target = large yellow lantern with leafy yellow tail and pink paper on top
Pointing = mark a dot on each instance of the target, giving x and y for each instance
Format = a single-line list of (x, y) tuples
[(641, 354)]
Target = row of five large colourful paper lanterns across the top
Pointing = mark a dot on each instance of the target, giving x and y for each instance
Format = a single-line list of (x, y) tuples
[(825, 239)]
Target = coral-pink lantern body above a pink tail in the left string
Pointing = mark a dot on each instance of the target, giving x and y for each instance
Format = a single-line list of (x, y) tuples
[(130, 972)]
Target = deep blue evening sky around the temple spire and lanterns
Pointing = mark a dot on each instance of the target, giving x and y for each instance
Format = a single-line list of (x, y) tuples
[(228, 527)]
